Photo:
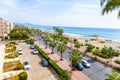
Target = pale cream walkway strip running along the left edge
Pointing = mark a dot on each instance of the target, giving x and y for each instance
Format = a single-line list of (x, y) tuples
[(2, 47)]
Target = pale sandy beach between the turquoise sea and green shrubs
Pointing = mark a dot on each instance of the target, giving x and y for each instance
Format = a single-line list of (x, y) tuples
[(95, 41)]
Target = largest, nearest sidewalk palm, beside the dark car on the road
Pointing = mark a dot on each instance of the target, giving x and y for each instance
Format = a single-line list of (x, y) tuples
[(75, 57)]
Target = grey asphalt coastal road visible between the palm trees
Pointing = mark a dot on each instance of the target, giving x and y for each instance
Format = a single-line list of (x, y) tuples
[(97, 70)]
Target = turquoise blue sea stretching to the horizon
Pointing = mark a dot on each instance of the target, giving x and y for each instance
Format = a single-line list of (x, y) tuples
[(105, 33)]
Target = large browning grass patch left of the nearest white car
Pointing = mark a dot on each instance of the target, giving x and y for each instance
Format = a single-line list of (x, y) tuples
[(10, 66)]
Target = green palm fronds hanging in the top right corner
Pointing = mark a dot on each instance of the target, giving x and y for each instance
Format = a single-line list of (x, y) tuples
[(110, 5)]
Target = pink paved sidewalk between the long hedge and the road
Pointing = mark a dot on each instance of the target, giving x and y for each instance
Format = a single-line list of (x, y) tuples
[(76, 75)]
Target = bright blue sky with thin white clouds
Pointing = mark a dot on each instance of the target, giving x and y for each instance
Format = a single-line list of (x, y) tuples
[(72, 13)]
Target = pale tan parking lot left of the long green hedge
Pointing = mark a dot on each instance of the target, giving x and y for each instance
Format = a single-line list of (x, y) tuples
[(37, 71)]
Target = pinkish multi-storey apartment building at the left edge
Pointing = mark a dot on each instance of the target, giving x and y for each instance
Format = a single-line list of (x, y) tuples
[(5, 27)]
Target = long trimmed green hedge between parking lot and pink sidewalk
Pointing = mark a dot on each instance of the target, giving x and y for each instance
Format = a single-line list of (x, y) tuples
[(64, 75)]
